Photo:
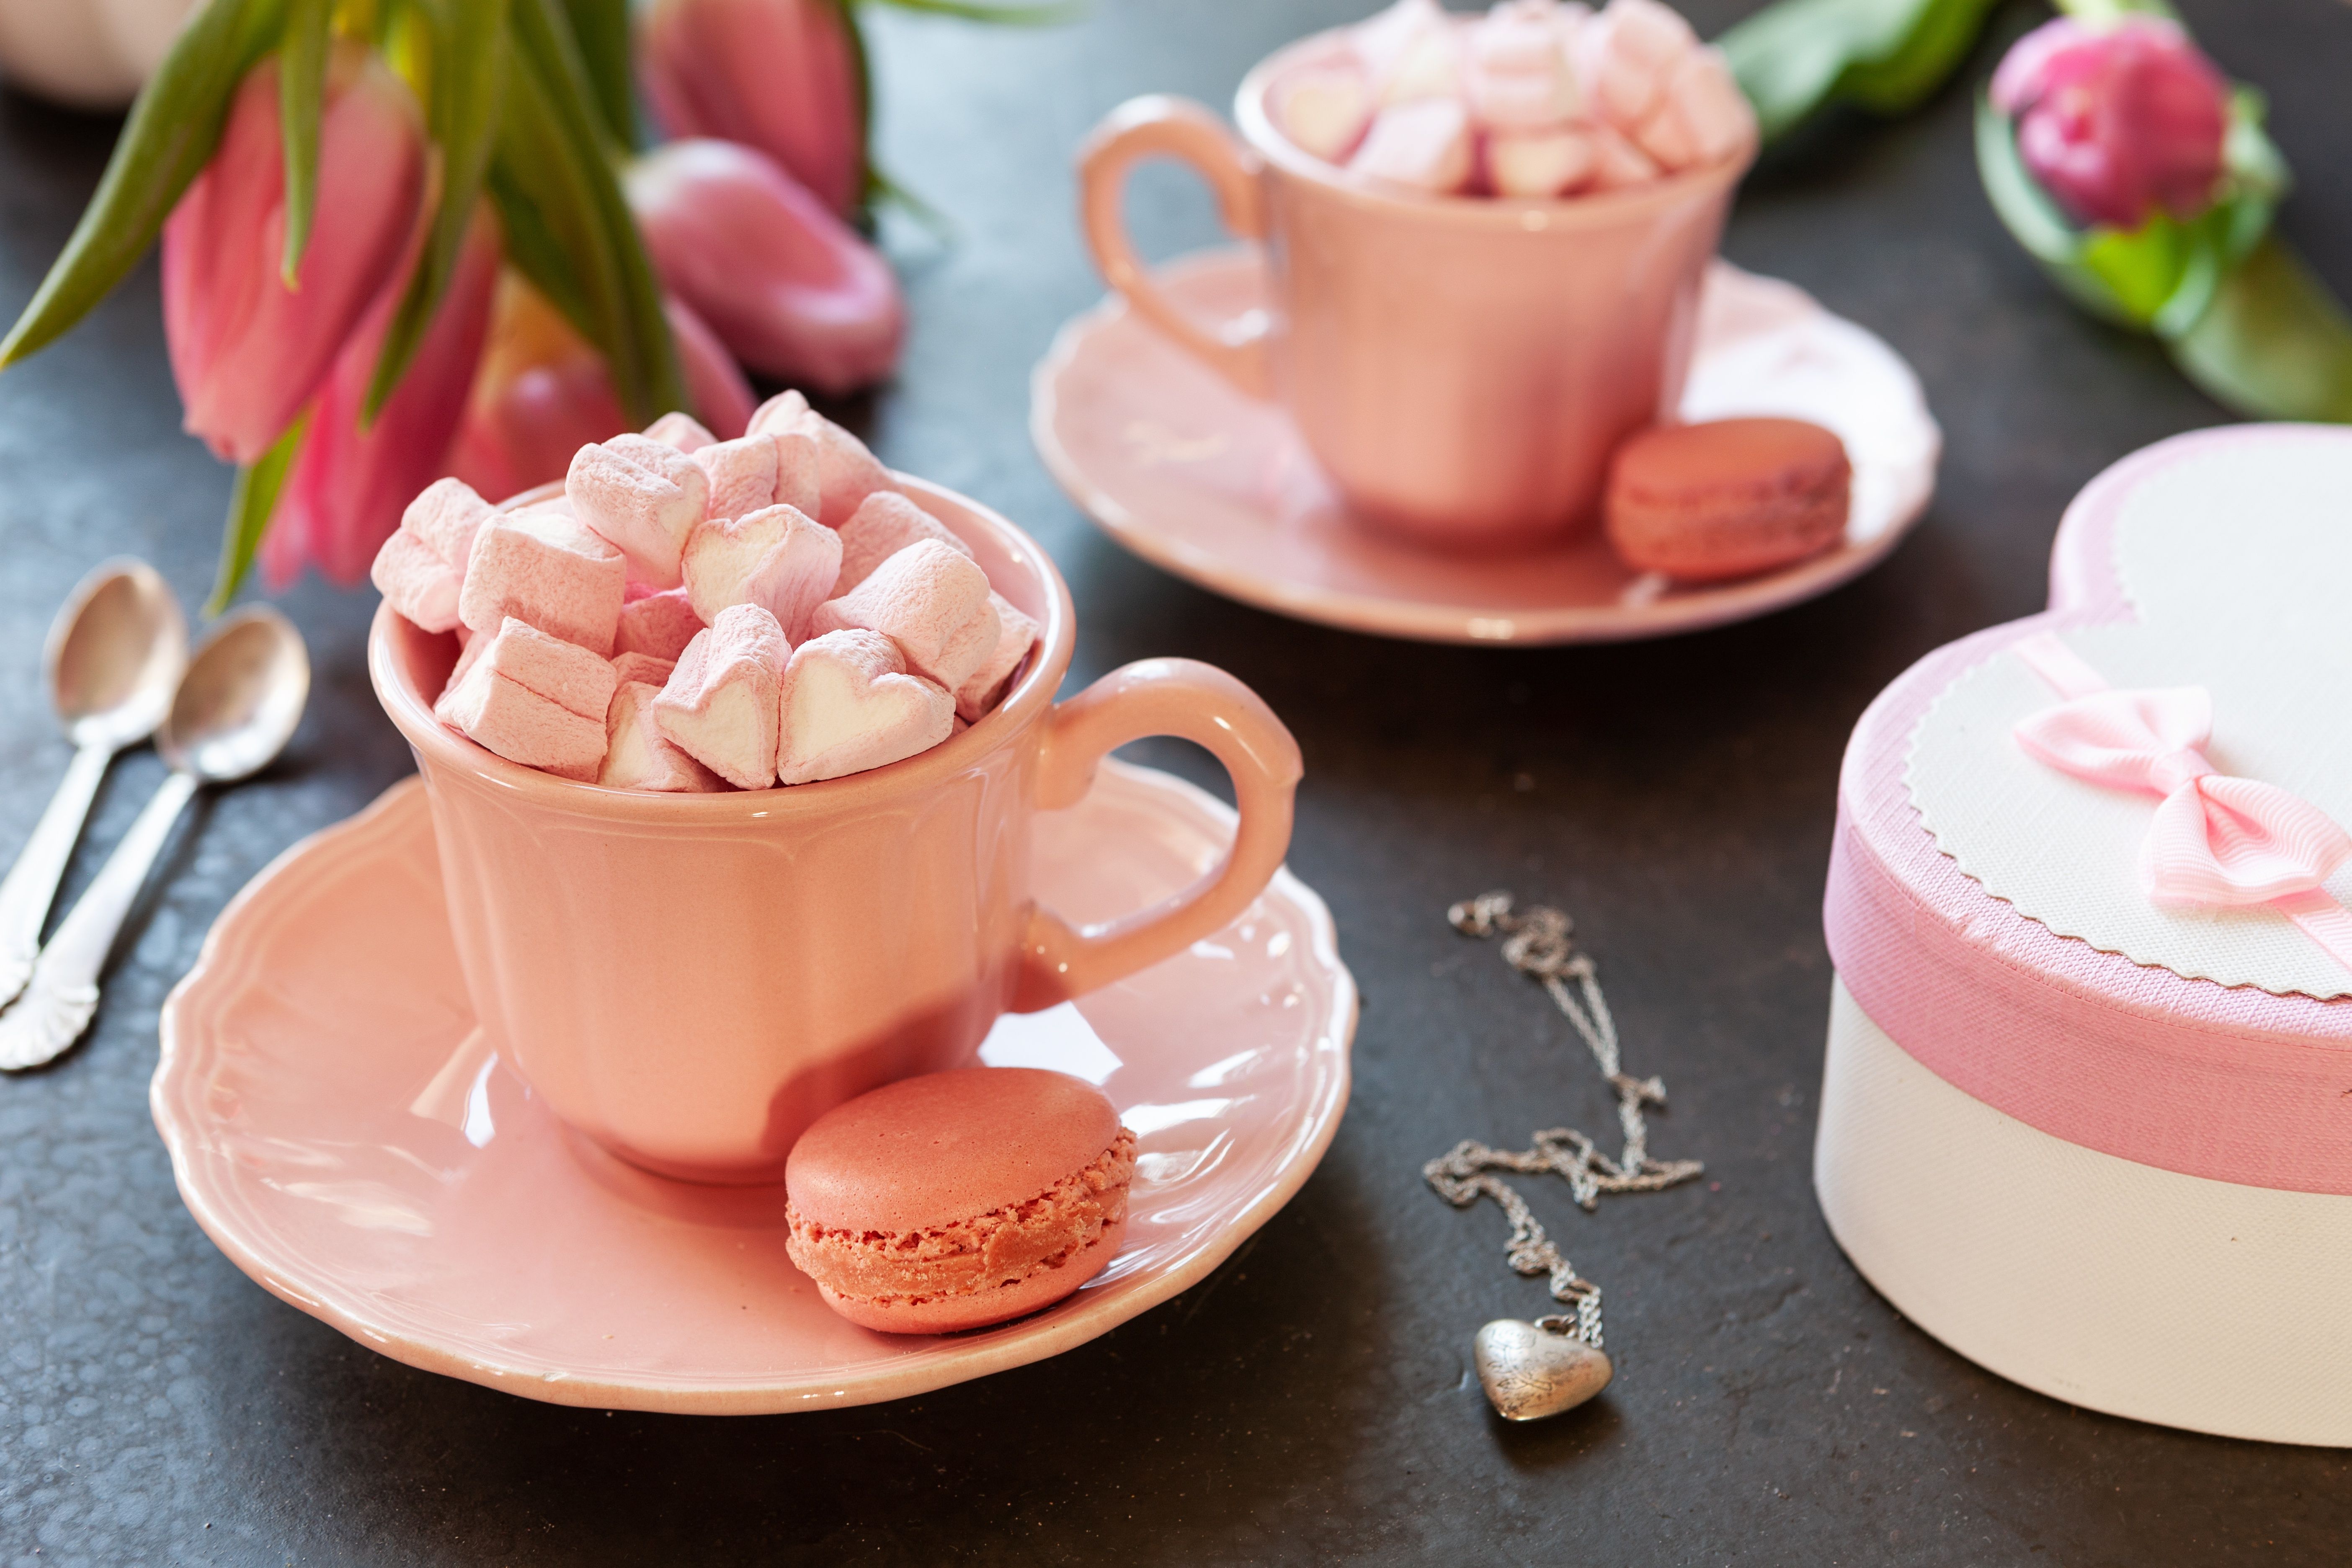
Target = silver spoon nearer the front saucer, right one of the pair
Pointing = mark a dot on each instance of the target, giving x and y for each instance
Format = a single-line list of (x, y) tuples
[(232, 716)]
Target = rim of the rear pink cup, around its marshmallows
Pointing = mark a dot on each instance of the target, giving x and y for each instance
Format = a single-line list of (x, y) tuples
[(1497, 213)]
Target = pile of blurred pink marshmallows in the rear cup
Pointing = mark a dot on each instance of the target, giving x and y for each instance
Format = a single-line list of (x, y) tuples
[(1532, 100)]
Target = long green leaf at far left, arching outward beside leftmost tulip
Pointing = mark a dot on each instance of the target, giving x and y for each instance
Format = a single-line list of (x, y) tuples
[(171, 135)]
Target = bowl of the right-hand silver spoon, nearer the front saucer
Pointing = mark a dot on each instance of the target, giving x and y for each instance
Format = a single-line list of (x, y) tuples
[(241, 699)]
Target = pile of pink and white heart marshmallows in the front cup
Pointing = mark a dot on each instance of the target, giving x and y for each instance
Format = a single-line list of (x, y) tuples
[(686, 617)]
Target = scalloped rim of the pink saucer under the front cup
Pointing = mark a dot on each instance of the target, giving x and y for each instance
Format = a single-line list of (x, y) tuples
[(1038, 1339)]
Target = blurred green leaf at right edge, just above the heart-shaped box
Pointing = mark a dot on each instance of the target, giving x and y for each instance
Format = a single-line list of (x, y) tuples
[(2273, 342)]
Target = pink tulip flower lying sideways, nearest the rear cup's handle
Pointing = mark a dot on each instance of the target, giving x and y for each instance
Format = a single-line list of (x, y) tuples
[(789, 288)]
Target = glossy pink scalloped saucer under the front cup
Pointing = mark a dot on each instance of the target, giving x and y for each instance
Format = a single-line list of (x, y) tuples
[(338, 1132)]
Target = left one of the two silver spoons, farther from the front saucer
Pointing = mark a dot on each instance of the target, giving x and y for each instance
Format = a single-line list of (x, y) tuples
[(114, 657)]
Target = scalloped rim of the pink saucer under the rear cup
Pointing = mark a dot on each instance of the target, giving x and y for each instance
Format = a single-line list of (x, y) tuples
[(1417, 622)]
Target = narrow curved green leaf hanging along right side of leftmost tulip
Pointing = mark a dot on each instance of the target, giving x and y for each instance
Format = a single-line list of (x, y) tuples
[(469, 58)]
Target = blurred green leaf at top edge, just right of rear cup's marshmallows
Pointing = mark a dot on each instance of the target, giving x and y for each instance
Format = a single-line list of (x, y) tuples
[(1885, 55)]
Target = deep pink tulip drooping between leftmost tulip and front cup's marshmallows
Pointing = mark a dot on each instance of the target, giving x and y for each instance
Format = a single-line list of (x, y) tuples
[(349, 485)]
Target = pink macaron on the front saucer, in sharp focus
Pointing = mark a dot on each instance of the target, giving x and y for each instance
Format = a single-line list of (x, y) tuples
[(958, 1200)]
